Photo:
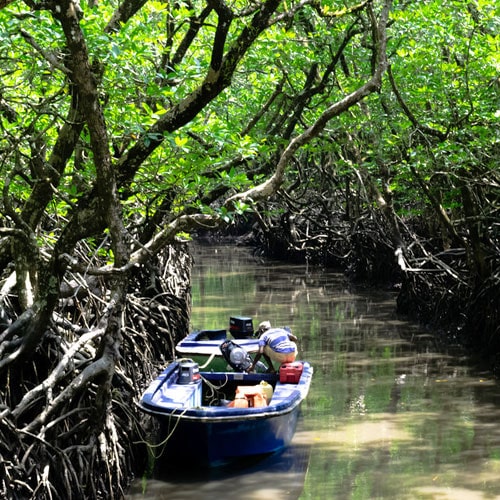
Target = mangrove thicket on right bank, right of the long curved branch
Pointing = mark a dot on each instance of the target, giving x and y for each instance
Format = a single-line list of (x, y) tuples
[(405, 187)]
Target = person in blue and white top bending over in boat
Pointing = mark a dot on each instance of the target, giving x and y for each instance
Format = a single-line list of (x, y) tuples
[(275, 344)]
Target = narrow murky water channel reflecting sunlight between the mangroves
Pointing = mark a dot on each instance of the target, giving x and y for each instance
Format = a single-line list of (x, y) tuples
[(390, 415)]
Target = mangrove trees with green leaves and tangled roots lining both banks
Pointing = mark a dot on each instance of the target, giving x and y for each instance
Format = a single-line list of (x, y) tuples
[(128, 124)]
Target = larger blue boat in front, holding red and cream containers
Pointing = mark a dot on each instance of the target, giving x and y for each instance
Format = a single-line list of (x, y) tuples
[(204, 420)]
